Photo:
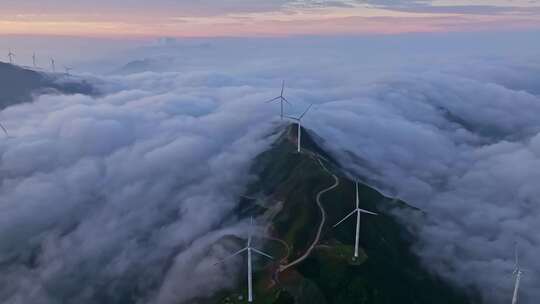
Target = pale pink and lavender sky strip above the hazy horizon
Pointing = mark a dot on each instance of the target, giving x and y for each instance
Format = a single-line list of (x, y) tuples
[(211, 18)]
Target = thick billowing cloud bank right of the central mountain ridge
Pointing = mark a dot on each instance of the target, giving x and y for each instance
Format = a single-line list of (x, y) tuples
[(466, 152)]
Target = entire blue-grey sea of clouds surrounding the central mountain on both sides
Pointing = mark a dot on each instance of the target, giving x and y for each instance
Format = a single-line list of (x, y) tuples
[(125, 197)]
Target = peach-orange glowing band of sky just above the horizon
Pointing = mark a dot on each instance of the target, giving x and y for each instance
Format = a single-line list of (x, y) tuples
[(306, 22)]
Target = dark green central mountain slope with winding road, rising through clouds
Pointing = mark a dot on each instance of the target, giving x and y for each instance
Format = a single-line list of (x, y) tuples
[(284, 197)]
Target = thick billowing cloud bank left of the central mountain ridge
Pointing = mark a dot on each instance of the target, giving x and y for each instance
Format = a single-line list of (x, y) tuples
[(99, 196)]
